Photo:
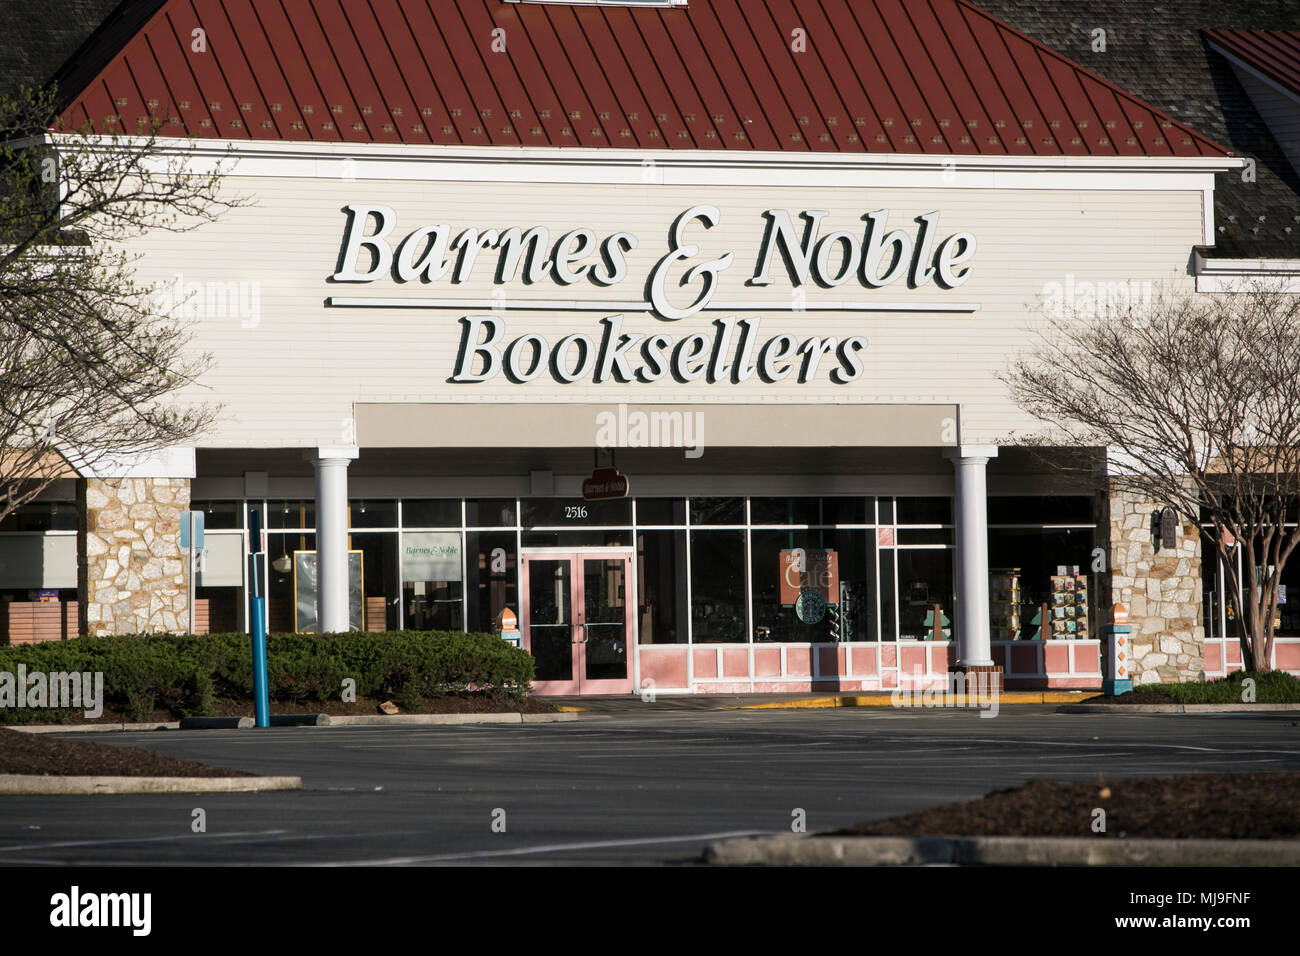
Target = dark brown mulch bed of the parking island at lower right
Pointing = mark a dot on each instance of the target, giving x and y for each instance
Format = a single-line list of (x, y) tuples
[(1233, 807)]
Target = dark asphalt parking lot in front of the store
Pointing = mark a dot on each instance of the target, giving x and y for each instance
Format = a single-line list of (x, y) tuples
[(636, 788)]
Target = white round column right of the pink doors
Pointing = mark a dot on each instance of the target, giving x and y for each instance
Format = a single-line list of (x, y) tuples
[(973, 625)]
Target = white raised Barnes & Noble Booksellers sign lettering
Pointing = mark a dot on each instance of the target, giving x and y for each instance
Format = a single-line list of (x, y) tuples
[(731, 351)]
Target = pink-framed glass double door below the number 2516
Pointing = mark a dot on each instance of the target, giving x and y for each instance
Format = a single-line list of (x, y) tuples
[(577, 621)]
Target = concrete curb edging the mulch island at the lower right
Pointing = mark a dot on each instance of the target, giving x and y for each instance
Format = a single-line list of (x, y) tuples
[(795, 850)]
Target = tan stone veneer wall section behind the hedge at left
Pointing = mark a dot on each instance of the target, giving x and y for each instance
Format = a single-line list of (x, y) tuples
[(131, 569)]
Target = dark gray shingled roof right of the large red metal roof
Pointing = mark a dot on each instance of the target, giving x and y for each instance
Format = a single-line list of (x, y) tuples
[(1156, 51)]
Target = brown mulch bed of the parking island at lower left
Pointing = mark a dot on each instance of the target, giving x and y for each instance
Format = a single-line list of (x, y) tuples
[(40, 755)]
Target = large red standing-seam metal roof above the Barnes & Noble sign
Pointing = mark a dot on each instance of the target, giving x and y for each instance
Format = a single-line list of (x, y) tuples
[(864, 76)]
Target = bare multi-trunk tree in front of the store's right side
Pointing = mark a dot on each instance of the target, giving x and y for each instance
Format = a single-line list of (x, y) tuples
[(1198, 401)]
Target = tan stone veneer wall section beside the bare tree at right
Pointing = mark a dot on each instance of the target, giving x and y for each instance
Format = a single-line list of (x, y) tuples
[(1163, 592)]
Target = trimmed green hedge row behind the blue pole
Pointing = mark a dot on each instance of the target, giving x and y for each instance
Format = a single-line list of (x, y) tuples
[(185, 676)]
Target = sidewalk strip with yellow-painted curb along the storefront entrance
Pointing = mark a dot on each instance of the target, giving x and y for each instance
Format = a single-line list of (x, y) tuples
[(791, 702)]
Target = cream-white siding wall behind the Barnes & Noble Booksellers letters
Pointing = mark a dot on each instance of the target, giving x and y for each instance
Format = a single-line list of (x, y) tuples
[(289, 375)]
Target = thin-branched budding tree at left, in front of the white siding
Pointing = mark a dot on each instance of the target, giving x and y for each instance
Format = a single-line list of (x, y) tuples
[(88, 356)]
